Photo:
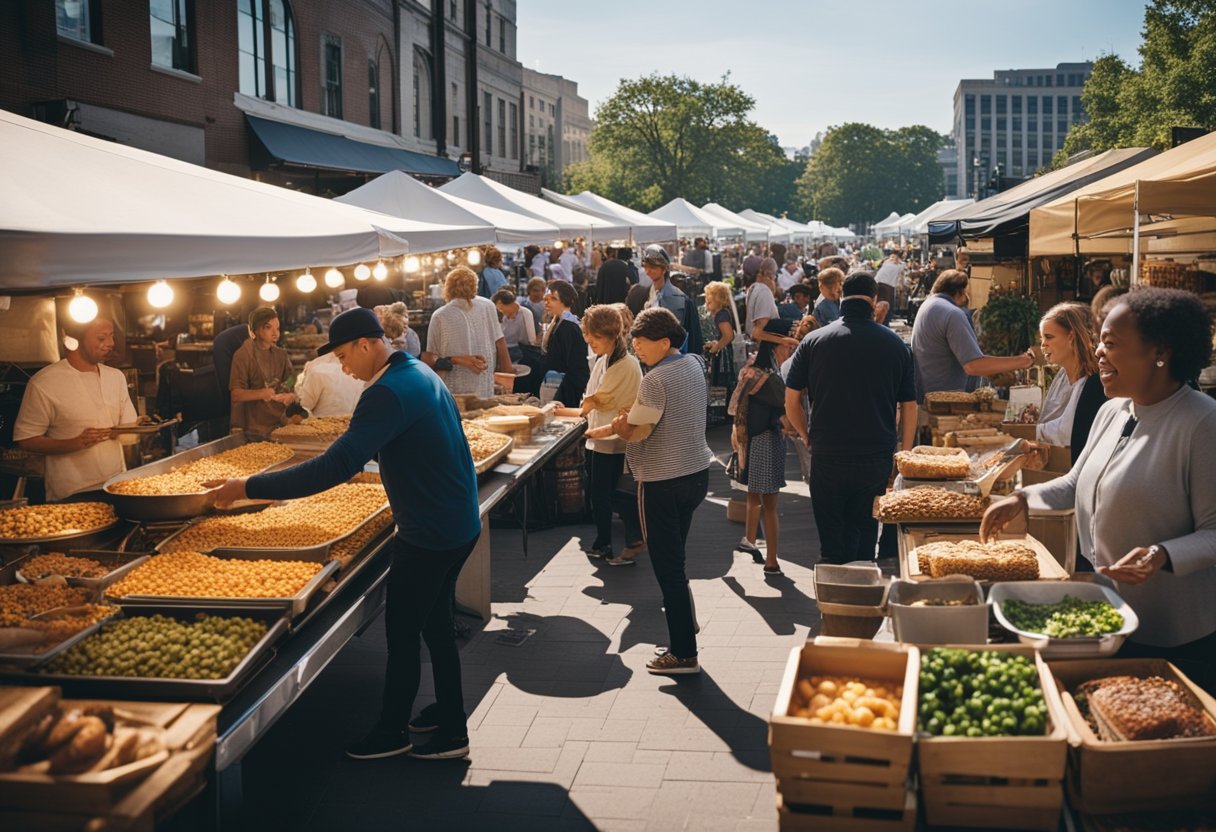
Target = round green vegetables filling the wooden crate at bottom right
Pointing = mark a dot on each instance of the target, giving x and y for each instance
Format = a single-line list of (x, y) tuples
[(981, 694)]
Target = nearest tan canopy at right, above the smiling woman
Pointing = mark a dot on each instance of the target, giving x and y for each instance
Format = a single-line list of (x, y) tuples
[(1169, 201)]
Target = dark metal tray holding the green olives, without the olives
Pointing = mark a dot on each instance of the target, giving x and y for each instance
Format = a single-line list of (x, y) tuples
[(195, 690)]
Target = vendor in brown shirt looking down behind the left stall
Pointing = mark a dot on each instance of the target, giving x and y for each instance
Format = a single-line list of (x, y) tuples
[(260, 369)]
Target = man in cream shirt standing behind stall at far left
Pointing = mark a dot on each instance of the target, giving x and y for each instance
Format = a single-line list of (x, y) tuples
[(69, 412)]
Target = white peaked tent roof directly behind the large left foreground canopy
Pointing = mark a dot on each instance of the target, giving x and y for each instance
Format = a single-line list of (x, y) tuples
[(401, 195)]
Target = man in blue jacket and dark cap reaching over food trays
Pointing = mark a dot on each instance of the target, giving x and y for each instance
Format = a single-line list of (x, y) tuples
[(407, 419)]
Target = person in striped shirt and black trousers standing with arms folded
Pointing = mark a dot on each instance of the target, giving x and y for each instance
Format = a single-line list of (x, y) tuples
[(667, 452)]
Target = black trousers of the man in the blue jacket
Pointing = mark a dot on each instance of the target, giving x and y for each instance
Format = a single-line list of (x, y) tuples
[(421, 583)]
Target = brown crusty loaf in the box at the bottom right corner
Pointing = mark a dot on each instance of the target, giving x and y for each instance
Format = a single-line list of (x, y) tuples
[(1128, 709)]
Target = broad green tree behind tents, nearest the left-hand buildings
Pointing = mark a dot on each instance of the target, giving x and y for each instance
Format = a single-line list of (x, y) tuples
[(666, 137)]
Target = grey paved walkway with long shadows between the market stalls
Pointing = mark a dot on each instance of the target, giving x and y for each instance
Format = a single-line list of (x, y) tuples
[(568, 730)]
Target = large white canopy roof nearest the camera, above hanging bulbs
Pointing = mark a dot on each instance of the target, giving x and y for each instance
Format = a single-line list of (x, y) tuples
[(78, 210)]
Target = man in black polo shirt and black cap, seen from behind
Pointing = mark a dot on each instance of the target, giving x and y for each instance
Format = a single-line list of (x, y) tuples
[(858, 375)]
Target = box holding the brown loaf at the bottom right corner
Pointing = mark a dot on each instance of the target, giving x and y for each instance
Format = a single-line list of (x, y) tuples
[(1107, 778)]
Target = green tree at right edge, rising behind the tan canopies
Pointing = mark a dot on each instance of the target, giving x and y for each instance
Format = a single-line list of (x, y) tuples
[(1174, 87)]
